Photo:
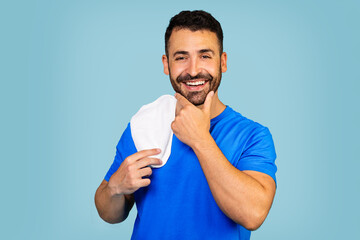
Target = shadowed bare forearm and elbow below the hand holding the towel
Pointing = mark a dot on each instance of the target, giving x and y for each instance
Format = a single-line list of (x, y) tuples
[(111, 208)]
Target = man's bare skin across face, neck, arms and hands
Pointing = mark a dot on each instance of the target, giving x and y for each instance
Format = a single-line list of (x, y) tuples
[(244, 196)]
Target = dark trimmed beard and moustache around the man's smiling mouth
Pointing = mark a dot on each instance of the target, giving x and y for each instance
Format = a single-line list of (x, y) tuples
[(196, 97)]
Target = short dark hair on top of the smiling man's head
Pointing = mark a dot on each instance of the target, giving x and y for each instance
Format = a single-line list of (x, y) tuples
[(194, 21)]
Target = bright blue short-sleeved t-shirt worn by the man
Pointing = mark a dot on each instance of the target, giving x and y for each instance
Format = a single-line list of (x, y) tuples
[(178, 203)]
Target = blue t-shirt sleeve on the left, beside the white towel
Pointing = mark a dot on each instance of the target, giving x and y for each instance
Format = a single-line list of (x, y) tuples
[(124, 148)]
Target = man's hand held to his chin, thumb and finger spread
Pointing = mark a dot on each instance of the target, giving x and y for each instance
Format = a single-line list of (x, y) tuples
[(191, 124)]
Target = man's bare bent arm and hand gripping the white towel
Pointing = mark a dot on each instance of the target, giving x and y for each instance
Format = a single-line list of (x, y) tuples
[(114, 199)]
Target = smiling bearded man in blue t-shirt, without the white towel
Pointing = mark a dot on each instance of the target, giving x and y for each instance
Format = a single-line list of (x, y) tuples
[(219, 182)]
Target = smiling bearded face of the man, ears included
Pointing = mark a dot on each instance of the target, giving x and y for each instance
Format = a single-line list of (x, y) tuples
[(194, 63)]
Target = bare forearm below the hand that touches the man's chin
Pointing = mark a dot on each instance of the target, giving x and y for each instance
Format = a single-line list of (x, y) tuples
[(240, 196)]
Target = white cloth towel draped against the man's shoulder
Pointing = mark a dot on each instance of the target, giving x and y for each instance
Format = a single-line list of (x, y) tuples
[(151, 127)]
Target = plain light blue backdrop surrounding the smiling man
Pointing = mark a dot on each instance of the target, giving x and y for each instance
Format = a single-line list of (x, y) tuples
[(74, 72)]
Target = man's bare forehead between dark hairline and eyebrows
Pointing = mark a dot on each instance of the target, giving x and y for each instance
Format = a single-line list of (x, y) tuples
[(187, 40)]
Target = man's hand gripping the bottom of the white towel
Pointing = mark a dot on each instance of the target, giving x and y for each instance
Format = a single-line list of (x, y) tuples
[(129, 176)]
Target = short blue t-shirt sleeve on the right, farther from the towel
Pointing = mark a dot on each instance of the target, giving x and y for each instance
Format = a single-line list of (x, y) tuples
[(259, 153)]
